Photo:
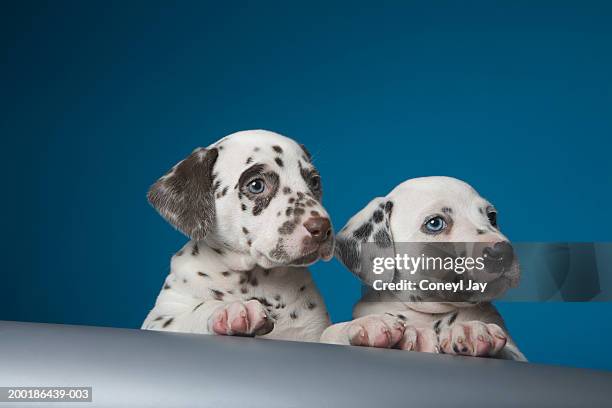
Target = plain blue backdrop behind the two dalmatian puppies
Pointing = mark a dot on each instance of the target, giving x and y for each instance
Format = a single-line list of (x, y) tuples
[(99, 99)]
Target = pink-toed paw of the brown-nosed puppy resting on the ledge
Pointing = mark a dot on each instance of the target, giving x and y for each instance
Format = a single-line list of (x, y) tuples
[(241, 319)]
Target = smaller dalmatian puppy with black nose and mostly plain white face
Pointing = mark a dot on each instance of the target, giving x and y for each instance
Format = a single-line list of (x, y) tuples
[(432, 211)]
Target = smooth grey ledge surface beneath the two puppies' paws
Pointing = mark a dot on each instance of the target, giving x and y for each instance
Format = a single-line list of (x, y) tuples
[(134, 368)]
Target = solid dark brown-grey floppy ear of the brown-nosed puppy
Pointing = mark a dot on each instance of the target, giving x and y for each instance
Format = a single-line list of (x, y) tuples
[(184, 195)]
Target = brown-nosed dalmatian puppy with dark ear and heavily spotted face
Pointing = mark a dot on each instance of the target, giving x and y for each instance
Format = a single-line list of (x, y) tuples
[(251, 204)]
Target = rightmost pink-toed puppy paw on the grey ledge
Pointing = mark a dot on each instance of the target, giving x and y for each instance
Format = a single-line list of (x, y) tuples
[(473, 339)]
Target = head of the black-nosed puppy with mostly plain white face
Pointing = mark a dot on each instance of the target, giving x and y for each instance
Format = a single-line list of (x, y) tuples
[(436, 217)]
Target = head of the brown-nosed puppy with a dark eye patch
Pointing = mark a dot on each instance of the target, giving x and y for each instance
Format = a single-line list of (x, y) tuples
[(255, 193)]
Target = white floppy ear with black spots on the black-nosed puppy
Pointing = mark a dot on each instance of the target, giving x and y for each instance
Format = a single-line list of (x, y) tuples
[(366, 236)]
